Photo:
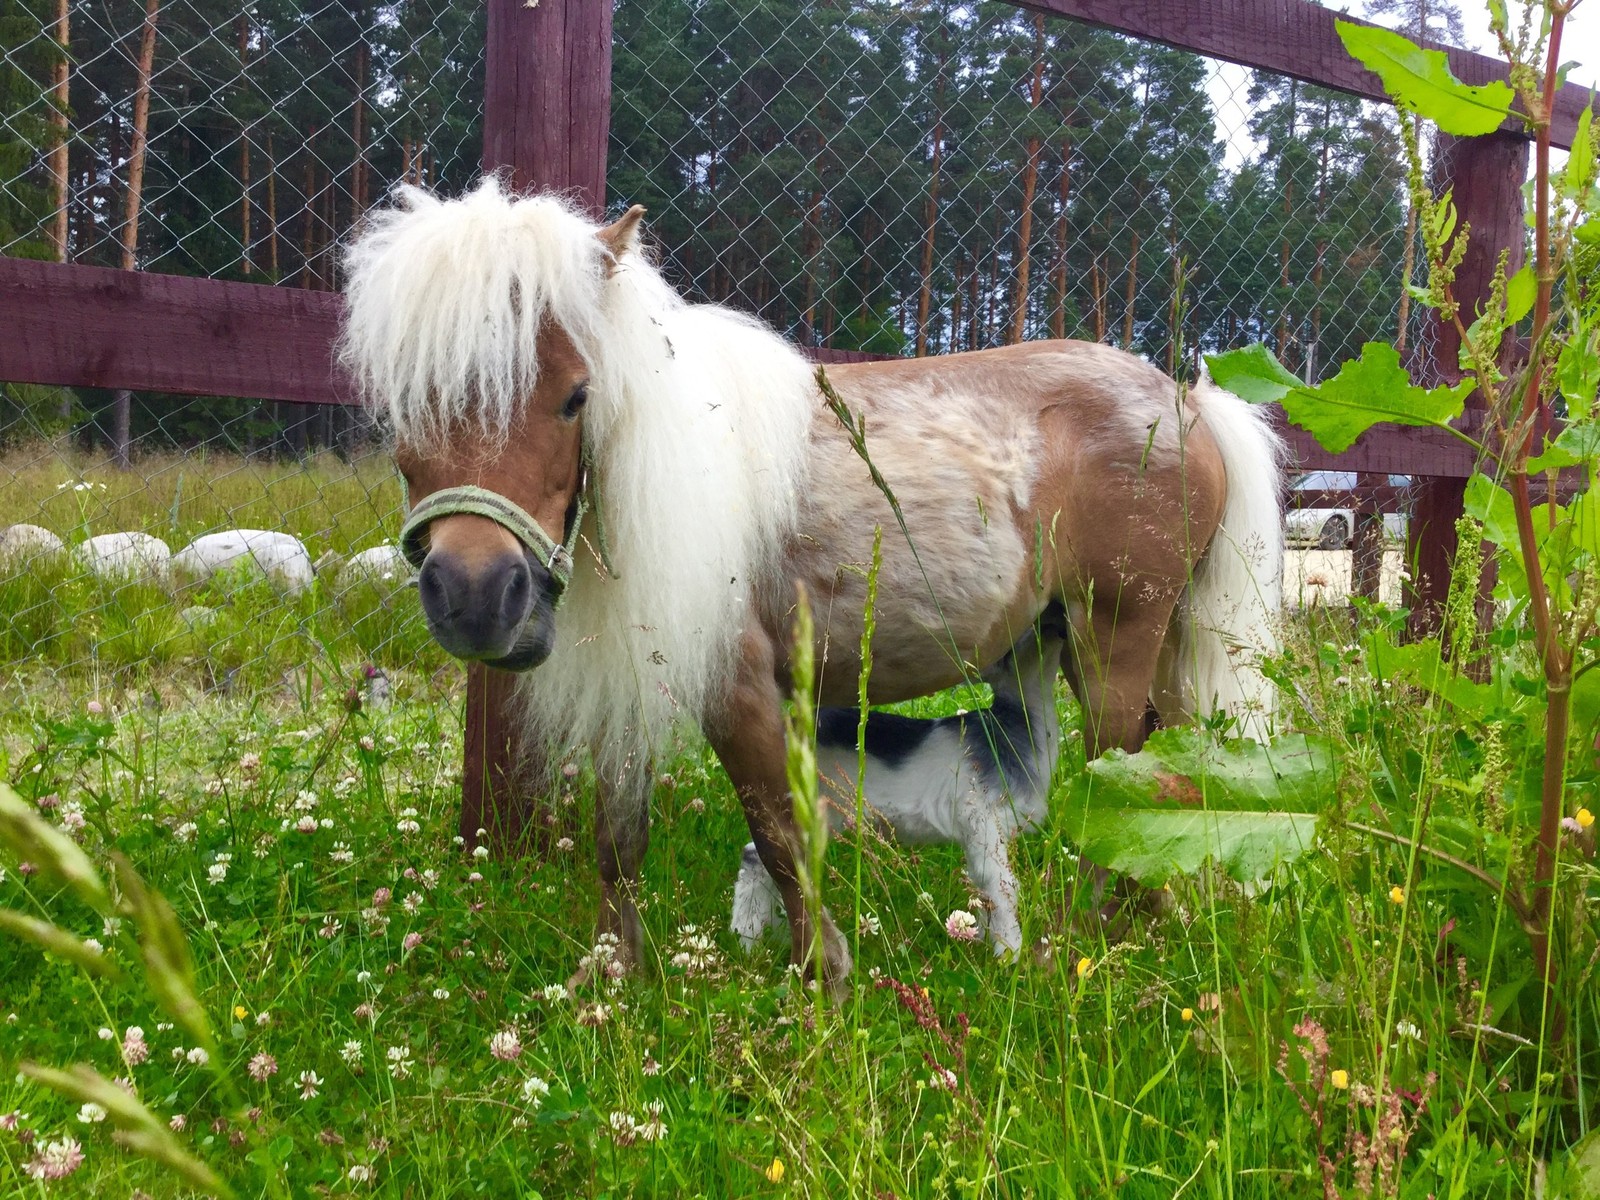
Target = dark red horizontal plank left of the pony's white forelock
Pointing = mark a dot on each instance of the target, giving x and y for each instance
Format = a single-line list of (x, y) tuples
[(98, 327)]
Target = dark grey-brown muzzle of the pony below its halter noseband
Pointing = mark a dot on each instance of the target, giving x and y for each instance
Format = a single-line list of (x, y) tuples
[(482, 610)]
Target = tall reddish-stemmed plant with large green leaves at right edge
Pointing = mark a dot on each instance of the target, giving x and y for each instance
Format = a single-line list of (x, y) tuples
[(1546, 681)]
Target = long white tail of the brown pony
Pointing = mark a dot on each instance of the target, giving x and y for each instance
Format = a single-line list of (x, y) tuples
[(1228, 620)]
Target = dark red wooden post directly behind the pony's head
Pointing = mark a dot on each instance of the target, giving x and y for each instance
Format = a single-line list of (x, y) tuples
[(546, 122)]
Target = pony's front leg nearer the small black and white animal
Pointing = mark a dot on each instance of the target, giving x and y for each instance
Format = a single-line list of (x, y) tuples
[(750, 740)]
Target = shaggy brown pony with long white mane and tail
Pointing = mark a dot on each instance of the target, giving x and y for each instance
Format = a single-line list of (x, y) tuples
[(1026, 476)]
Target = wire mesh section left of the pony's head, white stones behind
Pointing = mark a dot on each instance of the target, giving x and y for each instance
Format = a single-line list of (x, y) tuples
[(199, 138)]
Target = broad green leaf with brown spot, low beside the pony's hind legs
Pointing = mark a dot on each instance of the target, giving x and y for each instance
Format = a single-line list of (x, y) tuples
[(1186, 799)]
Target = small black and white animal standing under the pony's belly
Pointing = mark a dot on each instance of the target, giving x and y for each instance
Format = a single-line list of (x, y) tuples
[(975, 780)]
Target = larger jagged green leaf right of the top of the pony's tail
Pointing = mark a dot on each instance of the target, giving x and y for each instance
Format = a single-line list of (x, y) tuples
[(1370, 391)]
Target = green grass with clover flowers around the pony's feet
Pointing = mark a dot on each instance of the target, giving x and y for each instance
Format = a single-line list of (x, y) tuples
[(1199, 1054)]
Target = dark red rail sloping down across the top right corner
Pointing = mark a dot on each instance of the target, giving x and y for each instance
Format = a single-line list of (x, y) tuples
[(1292, 38)]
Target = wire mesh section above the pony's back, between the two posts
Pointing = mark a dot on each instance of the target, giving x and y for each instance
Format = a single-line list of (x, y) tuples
[(940, 177)]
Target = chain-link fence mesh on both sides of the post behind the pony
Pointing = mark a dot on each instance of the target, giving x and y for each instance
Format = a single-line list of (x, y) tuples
[(873, 177)]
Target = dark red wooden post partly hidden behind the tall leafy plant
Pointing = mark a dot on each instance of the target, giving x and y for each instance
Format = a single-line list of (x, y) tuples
[(1487, 177)]
